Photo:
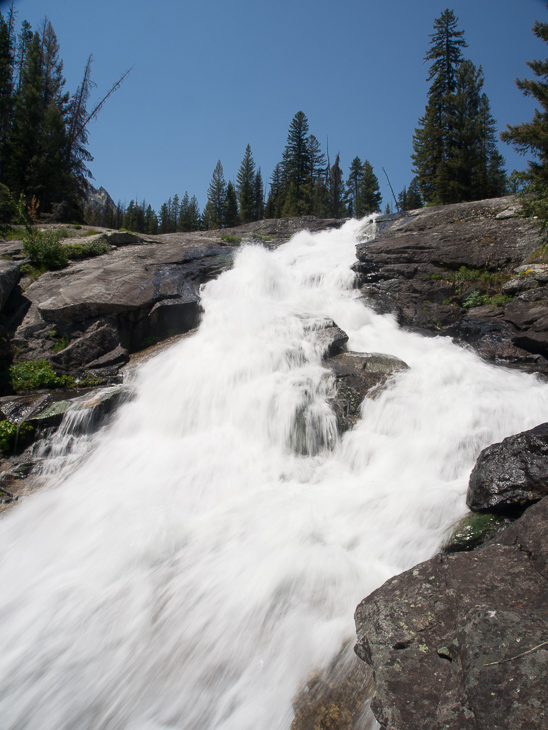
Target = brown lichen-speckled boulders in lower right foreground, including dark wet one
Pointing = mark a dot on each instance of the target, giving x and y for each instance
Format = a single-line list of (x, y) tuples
[(461, 641)]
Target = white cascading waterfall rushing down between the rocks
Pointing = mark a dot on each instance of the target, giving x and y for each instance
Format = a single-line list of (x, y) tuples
[(195, 568)]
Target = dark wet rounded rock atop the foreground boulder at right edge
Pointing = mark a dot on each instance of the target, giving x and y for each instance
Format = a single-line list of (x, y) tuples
[(511, 475)]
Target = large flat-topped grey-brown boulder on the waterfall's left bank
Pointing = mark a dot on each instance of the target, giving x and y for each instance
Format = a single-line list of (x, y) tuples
[(106, 307)]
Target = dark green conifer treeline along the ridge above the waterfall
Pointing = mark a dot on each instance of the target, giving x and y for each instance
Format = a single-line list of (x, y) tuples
[(44, 156)]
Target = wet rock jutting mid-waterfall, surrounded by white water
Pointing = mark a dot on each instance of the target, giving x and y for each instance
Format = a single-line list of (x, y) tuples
[(357, 375)]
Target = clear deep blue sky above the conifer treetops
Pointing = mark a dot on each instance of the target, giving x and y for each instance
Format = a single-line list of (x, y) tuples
[(211, 76)]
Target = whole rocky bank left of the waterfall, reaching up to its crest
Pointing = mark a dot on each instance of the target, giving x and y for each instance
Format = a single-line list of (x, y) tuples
[(91, 315)]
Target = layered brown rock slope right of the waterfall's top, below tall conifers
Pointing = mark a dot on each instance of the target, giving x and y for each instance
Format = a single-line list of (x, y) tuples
[(467, 271)]
